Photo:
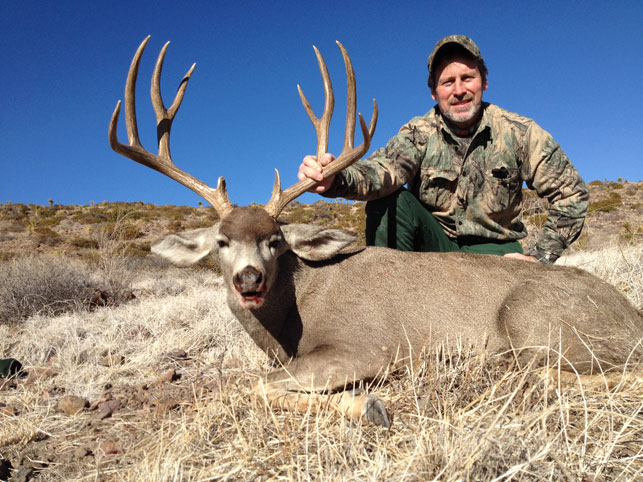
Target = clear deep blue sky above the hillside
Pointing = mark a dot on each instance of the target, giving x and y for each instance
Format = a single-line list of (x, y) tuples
[(574, 67)]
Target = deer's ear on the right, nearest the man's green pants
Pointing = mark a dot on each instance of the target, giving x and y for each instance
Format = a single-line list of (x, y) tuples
[(315, 243)]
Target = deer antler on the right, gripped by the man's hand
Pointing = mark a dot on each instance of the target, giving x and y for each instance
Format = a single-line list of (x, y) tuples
[(349, 155)]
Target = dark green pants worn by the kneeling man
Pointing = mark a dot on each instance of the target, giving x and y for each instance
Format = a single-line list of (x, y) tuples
[(401, 222)]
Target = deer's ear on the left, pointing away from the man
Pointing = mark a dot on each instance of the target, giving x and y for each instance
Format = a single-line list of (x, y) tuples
[(185, 249)]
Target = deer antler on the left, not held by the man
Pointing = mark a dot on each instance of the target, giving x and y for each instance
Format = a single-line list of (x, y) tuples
[(163, 161)]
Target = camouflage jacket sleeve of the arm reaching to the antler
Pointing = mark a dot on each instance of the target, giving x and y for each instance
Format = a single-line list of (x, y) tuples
[(384, 171)]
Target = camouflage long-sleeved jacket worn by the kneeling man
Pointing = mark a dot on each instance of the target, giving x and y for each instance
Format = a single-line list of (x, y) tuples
[(477, 191)]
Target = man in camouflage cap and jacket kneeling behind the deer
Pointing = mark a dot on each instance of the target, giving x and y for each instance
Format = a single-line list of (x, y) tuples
[(464, 163)]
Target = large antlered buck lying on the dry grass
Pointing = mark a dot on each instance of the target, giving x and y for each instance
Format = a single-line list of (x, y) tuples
[(332, 315)]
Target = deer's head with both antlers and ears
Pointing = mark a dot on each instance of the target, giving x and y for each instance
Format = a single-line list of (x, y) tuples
[(249, 240)]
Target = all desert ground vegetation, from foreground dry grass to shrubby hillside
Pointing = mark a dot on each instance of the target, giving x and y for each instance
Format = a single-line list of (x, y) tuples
[(133, 370)]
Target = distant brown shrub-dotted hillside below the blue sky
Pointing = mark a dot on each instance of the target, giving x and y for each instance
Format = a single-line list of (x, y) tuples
[(615, 215)]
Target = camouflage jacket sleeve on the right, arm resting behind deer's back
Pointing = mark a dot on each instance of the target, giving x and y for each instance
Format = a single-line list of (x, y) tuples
[(548, 170)]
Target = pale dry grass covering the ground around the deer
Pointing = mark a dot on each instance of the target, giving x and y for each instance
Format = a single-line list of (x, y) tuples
[(463, 417)]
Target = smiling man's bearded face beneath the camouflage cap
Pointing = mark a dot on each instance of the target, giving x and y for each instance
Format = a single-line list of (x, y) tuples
[(458, 90)]
